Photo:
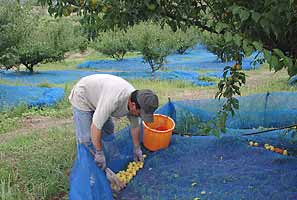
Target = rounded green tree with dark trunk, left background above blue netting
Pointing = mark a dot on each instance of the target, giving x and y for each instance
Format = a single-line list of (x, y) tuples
[(48, 41)]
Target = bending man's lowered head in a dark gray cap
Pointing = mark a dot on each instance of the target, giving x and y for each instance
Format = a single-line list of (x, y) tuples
[(143, 103)]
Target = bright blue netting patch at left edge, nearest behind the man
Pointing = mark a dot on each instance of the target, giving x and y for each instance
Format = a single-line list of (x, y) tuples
[(11, 96)]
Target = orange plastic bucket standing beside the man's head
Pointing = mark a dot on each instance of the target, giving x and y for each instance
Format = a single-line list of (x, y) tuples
[(157, 135)]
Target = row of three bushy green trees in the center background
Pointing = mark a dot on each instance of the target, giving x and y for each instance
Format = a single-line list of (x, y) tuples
[(153, 41)]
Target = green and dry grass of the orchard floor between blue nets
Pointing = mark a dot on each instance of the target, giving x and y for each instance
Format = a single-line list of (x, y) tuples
[(36, 165)]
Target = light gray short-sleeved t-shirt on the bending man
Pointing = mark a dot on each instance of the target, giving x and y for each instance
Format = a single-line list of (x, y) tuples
[(106, 95)]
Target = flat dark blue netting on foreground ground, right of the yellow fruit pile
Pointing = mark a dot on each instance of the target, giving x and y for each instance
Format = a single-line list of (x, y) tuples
[(225, 168)]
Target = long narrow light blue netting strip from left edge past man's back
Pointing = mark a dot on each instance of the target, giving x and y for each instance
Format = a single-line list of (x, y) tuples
[(64, 76)]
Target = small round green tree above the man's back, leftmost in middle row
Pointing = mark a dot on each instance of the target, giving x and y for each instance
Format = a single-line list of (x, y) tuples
[(115, 43)]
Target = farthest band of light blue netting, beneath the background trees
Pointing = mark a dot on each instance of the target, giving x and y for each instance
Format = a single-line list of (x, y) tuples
[(196, 59)]
